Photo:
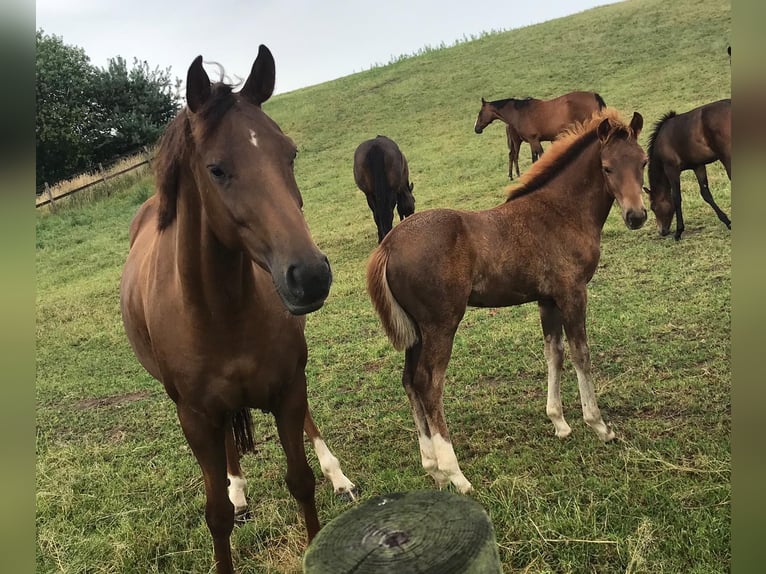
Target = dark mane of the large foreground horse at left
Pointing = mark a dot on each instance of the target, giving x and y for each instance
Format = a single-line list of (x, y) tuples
[(177, 141)]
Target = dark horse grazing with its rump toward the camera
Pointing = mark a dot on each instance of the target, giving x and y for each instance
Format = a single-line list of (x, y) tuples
[(382, 173)]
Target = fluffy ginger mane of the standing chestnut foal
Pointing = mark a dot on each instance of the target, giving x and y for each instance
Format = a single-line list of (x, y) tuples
[(567, 146)]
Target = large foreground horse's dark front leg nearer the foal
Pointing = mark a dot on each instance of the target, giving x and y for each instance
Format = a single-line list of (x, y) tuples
[(290, 417)]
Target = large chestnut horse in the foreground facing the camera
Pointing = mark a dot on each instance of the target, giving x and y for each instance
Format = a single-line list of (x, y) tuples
[(220, 272)]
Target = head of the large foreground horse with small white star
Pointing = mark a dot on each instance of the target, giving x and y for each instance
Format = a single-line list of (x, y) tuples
[(242, 164)]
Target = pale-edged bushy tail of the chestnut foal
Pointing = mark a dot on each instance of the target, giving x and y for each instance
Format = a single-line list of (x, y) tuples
[(396, 322)]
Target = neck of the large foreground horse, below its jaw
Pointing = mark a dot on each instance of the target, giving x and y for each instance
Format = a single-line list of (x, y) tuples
[(210, 274)]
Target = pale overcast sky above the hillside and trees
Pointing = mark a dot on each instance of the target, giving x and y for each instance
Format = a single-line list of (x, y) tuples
[(312, 41)]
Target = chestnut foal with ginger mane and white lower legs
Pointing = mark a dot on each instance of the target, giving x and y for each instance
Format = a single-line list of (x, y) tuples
[(542, 244)]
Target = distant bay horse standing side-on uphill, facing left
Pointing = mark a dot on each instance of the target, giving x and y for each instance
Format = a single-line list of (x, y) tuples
[(534, 120)]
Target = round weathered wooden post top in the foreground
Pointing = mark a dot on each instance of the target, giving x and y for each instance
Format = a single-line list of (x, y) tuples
[(424, 531)]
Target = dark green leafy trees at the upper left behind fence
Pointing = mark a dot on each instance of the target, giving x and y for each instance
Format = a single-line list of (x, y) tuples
[(88, 115)]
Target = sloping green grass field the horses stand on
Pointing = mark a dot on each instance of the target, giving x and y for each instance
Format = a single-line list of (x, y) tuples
[(119, 491)]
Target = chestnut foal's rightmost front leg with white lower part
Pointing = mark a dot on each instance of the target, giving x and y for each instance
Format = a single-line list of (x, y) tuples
[(573, 315)]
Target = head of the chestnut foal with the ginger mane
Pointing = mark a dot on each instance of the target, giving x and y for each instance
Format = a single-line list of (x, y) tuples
[(622, 165)]
